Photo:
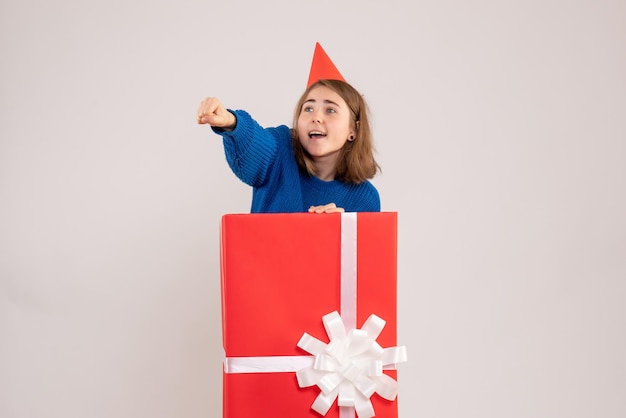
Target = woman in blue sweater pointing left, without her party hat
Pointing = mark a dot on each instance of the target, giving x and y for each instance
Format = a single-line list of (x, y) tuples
[(321, 165)]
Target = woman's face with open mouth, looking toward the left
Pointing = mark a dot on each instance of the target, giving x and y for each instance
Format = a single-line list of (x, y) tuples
[(324, 124)]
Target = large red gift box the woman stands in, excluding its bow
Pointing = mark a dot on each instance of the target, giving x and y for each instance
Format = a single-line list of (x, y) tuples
[(280, 274)]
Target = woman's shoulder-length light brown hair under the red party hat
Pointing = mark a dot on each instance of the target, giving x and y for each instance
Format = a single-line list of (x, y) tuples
[(356, 161)]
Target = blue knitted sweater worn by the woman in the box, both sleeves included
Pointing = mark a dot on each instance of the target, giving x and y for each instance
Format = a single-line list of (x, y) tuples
[(264, 159)]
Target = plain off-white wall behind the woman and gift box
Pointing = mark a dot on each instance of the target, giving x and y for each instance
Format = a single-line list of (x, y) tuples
[(501, 130)]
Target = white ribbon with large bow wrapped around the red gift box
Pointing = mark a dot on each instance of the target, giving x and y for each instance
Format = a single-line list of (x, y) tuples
[(348, 368)]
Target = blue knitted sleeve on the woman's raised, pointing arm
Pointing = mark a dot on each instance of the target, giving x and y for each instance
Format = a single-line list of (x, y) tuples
[(250, 149)]
